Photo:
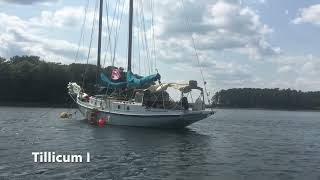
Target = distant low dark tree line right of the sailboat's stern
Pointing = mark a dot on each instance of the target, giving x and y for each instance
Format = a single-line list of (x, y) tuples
[(266, 98)]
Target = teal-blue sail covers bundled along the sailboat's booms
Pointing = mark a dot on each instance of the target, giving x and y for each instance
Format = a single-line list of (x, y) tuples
[(133, 81)]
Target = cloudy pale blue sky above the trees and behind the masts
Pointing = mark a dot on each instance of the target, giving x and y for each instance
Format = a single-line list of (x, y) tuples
[(236, 43)]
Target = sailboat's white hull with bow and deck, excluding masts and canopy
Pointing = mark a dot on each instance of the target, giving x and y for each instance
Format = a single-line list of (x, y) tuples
[(133, 113)]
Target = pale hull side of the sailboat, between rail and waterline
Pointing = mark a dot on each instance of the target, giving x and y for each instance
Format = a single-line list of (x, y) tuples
[(164, 119)]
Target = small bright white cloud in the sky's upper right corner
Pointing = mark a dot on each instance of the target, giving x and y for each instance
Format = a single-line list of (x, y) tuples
[(309, 15)]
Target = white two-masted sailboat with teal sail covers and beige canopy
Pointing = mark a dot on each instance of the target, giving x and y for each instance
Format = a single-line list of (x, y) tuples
[(138, 101)]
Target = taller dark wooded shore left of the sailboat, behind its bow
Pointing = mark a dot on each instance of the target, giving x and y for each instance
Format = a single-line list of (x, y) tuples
[(29, 80)]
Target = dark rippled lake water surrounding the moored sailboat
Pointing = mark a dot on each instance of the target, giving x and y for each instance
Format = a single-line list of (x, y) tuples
[(234, 144)]
